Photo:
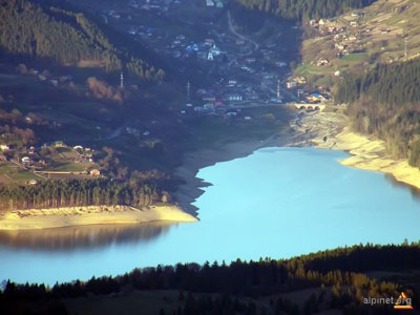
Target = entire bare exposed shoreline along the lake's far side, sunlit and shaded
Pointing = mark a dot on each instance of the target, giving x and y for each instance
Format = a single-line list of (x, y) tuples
[(324, 130)]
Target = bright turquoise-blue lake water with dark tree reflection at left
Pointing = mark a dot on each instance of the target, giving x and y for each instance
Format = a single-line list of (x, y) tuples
[(277, 202)]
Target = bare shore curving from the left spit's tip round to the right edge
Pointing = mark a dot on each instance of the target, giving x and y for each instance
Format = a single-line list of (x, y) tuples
[(307, 129)]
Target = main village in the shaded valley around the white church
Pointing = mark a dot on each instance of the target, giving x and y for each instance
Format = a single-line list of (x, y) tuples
[(244, 73)]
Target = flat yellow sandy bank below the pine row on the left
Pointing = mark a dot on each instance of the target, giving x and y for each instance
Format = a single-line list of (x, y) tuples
[(92, 215)]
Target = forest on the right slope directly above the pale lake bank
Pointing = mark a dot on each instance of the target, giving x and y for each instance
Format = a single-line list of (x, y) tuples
[(385, 102)]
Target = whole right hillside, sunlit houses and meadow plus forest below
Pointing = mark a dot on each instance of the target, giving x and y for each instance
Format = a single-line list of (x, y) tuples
[(371, 59)]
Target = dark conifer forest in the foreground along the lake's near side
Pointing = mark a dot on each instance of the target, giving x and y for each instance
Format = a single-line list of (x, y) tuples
[(338, 279)]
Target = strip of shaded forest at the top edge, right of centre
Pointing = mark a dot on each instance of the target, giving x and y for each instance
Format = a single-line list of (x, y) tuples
[(304, 9)]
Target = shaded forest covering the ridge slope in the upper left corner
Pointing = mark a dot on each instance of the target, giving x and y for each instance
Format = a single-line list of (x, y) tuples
[(30, 31)]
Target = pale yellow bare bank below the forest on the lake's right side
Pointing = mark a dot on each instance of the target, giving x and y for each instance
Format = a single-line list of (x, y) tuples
[(330, 130)]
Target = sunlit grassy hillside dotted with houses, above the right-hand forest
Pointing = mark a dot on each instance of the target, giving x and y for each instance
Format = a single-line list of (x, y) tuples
[(384, 32)]
